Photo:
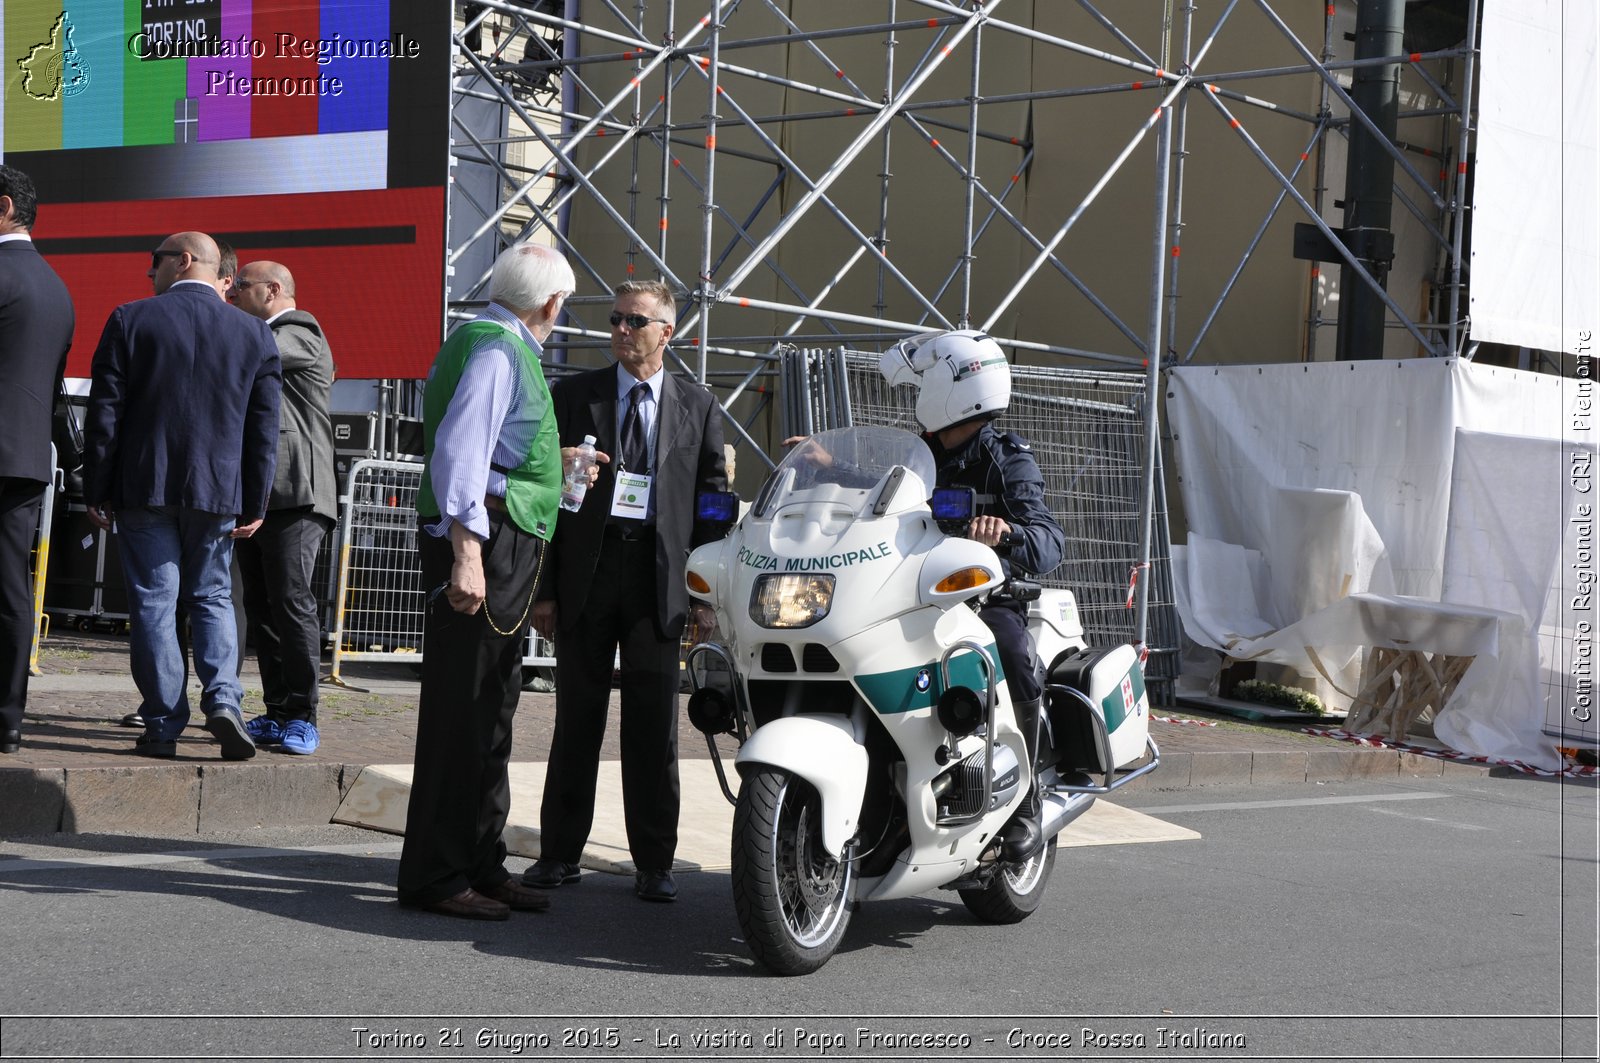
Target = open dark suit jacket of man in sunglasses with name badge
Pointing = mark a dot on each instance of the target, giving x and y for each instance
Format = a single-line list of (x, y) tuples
[(689, 460)]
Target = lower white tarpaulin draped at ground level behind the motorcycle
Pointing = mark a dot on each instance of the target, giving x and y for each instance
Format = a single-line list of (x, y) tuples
[(1425, 484)]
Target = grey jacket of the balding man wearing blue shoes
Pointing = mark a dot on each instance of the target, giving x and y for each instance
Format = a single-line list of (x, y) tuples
[(305, 475)]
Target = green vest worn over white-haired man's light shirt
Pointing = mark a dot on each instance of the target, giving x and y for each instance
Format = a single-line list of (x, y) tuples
[(534, 489)]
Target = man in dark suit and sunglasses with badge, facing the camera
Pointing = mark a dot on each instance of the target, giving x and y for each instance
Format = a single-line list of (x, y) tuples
[(618, 564)]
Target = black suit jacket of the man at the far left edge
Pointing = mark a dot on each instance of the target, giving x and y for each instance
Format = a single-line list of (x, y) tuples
[(36, 331)]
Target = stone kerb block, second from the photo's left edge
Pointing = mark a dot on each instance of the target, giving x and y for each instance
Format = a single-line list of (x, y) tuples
[(108, 800)]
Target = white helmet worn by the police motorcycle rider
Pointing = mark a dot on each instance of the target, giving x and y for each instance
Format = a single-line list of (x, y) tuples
[(959, 375)]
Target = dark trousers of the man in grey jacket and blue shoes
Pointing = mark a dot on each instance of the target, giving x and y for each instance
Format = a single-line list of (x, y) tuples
[(276, 569)]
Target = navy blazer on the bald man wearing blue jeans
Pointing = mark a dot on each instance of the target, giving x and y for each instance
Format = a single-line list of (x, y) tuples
[(183, 407)]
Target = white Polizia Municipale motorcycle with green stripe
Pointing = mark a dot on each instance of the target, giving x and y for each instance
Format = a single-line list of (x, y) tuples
[(879, 755)]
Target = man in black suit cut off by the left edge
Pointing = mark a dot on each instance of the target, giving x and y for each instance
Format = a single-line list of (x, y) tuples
[(36, 331)]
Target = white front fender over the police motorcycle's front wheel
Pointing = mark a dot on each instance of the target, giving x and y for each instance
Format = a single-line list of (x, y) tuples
[(825, 753)]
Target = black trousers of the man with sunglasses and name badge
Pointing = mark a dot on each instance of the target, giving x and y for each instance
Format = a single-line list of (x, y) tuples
[(620, 617)]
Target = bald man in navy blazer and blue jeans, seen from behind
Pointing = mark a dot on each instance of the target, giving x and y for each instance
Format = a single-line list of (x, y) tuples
[(182, 444)]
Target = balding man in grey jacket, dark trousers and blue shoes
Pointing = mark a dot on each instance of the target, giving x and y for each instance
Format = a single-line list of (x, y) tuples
[(276, 564)]
